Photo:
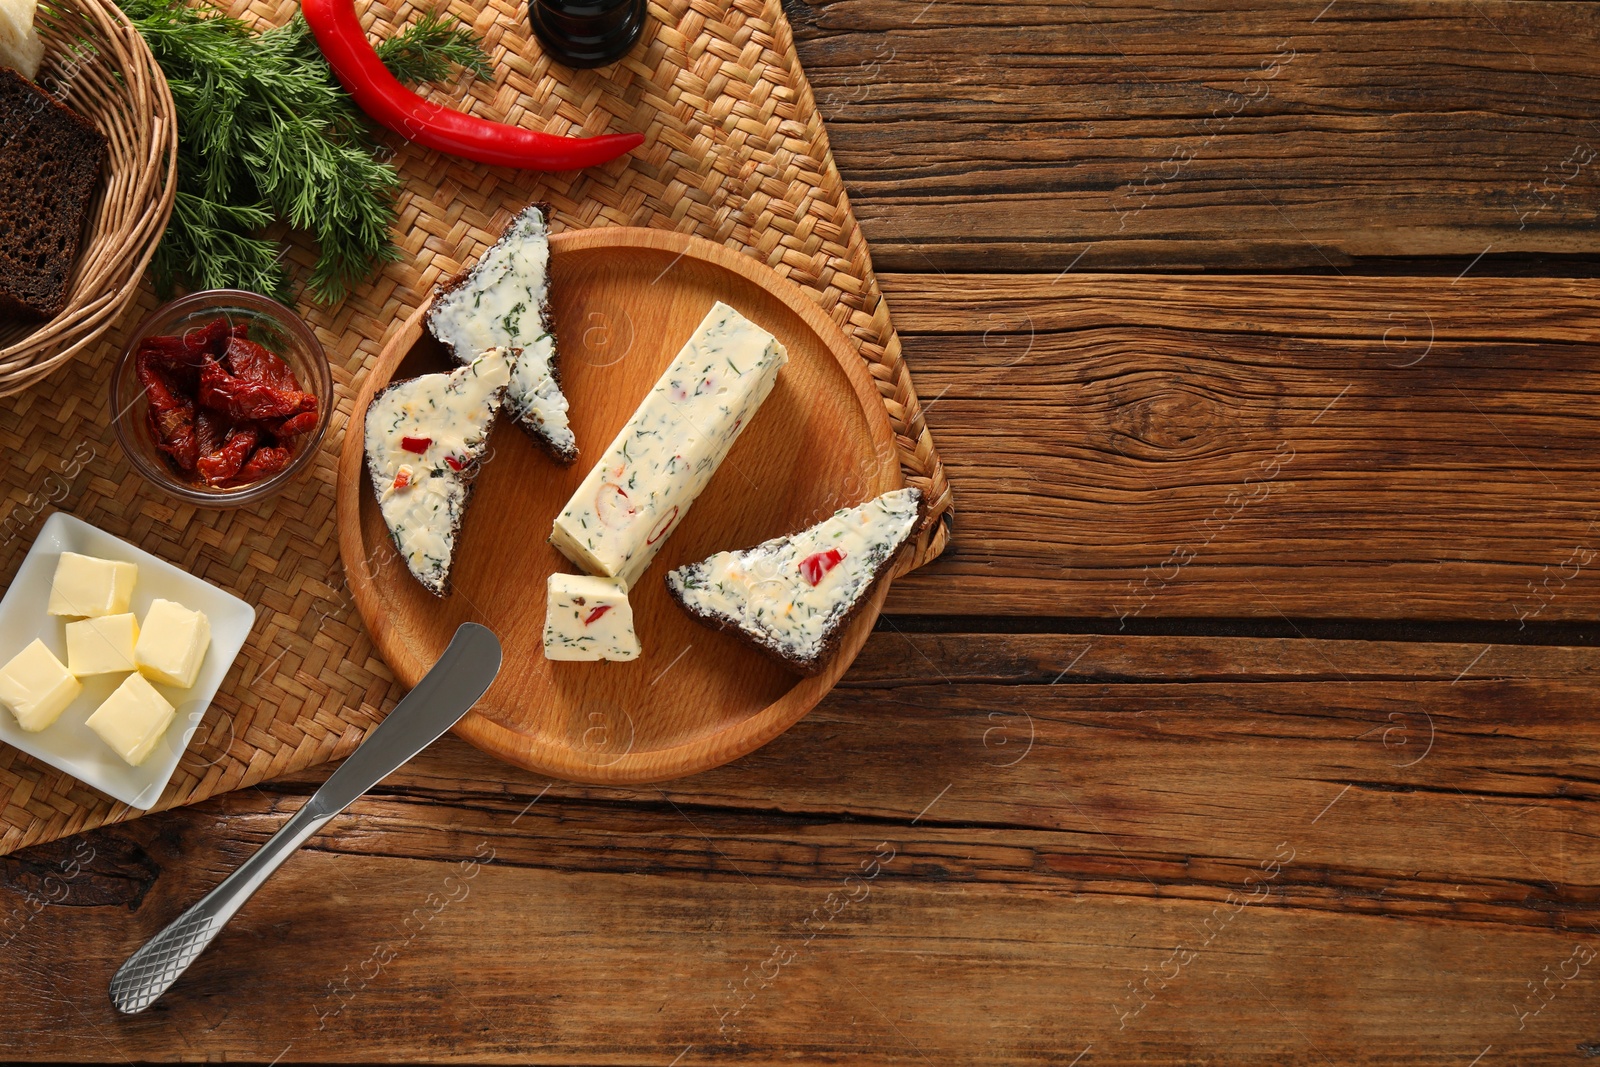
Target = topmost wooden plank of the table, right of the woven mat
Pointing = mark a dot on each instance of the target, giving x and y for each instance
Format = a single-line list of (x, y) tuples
[(1230, 134)]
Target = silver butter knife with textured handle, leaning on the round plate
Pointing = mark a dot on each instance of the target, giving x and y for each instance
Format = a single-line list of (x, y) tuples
[(444, 695)]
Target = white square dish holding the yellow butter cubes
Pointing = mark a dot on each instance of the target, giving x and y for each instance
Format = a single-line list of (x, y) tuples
[(70, 745)]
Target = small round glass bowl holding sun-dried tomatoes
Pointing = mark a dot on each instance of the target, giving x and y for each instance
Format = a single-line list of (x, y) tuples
[(271, 326)]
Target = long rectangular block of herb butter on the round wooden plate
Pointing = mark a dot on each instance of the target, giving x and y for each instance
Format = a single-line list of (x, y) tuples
[(666, 455)]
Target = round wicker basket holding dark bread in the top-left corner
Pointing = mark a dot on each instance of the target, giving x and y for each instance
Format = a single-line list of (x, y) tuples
[(98, 66)]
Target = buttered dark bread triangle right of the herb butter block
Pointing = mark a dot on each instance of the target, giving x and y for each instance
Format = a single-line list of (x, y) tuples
[(793, 597)]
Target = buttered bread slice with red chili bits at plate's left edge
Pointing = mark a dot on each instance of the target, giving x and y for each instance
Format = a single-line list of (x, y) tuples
[(425, 439)]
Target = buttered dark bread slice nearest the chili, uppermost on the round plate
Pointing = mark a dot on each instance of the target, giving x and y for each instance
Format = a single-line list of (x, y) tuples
[(505, 302)]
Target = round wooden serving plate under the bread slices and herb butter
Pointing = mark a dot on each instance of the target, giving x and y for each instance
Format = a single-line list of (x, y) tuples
[(625, 303)]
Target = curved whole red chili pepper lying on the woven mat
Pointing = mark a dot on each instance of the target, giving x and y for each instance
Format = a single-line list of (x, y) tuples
[(366, 78)]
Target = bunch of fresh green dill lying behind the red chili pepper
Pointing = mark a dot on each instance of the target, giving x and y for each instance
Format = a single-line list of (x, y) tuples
[(266, 135)]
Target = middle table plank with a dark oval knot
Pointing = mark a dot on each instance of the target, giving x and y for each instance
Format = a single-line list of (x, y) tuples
[(1382, 449)]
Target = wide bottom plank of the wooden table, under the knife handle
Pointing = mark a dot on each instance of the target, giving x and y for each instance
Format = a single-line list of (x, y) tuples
[(1247, 837)]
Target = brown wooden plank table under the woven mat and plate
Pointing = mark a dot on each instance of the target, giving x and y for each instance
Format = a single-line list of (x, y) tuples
[(1250, 719)]
